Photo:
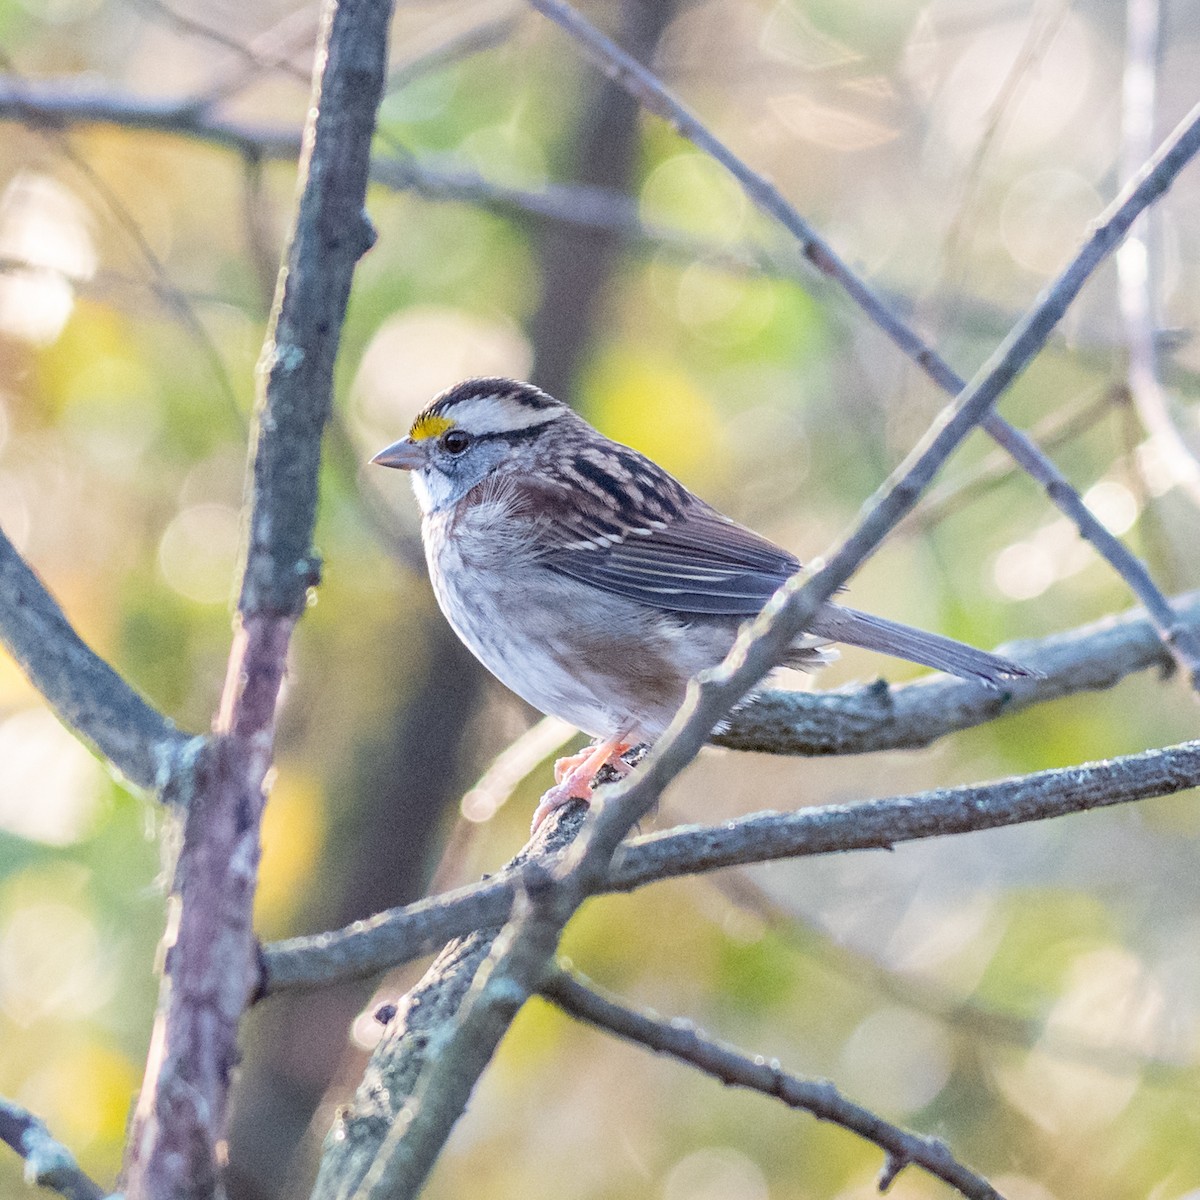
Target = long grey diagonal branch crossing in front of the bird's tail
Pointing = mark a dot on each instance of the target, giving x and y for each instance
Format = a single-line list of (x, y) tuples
[(409, 1149)]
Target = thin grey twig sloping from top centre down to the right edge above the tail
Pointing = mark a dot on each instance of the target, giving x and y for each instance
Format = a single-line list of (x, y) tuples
[(650, 92)]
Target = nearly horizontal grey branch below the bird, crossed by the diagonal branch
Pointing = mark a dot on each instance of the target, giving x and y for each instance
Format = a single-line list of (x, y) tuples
[(400, 935)]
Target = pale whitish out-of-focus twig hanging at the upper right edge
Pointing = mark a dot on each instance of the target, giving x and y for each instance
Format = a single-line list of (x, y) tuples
[(1136, 260)]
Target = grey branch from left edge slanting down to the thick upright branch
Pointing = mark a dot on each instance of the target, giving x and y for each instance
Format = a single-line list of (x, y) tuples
[(86, 693)]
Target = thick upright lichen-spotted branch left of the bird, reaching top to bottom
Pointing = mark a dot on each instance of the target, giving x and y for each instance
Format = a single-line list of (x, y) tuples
[(177, 1142)]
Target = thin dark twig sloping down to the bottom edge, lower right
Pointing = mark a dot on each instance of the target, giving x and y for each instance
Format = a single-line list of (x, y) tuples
[(681, 1040)]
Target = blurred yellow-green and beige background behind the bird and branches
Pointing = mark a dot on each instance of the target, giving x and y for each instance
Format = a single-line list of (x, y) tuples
[(1034, 995)]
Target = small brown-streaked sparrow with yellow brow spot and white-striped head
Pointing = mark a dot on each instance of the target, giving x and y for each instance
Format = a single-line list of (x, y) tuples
[(592, 583)]
